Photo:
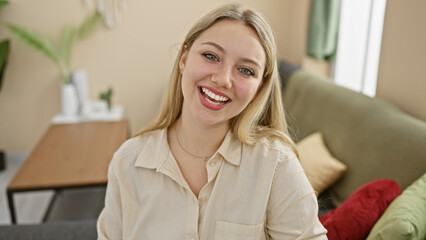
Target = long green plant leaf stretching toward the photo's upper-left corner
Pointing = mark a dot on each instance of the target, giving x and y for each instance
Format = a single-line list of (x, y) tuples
[(35, 41)]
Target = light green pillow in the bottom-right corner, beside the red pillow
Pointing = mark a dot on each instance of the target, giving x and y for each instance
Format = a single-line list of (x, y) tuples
[(405, 218)]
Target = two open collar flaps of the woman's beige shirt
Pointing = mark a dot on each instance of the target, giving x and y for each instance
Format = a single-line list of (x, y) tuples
[(156, 150)]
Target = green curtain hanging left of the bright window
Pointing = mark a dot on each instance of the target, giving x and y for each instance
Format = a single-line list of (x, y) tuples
[(323, 29)]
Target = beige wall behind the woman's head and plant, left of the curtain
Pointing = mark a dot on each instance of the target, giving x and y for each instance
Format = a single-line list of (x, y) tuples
[(135, 58)]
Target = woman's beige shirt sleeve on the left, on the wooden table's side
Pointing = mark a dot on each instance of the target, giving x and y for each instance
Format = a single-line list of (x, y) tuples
[(109, 225)]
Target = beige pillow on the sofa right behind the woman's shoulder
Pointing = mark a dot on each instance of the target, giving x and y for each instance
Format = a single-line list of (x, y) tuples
[(320, 167)]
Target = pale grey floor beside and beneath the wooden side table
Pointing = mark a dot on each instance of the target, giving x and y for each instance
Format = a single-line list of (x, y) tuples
[(30, 207)]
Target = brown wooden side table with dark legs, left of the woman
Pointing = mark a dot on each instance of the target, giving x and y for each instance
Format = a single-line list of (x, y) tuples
[(69, 156)]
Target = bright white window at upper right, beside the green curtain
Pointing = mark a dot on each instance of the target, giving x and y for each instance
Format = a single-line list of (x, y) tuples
[(359, 43)]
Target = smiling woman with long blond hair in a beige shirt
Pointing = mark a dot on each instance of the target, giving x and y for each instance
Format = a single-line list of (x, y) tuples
[(217, 162)]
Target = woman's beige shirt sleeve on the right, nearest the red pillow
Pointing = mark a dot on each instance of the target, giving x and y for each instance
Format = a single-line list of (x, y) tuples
[(293, 208)]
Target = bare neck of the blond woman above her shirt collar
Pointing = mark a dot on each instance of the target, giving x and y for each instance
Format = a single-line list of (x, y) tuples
[(197, 139)]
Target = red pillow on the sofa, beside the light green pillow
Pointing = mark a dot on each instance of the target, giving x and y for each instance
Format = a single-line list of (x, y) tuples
[(357, 215)]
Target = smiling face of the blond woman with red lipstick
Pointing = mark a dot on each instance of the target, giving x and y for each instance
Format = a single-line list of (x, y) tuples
[(221, 73)]
